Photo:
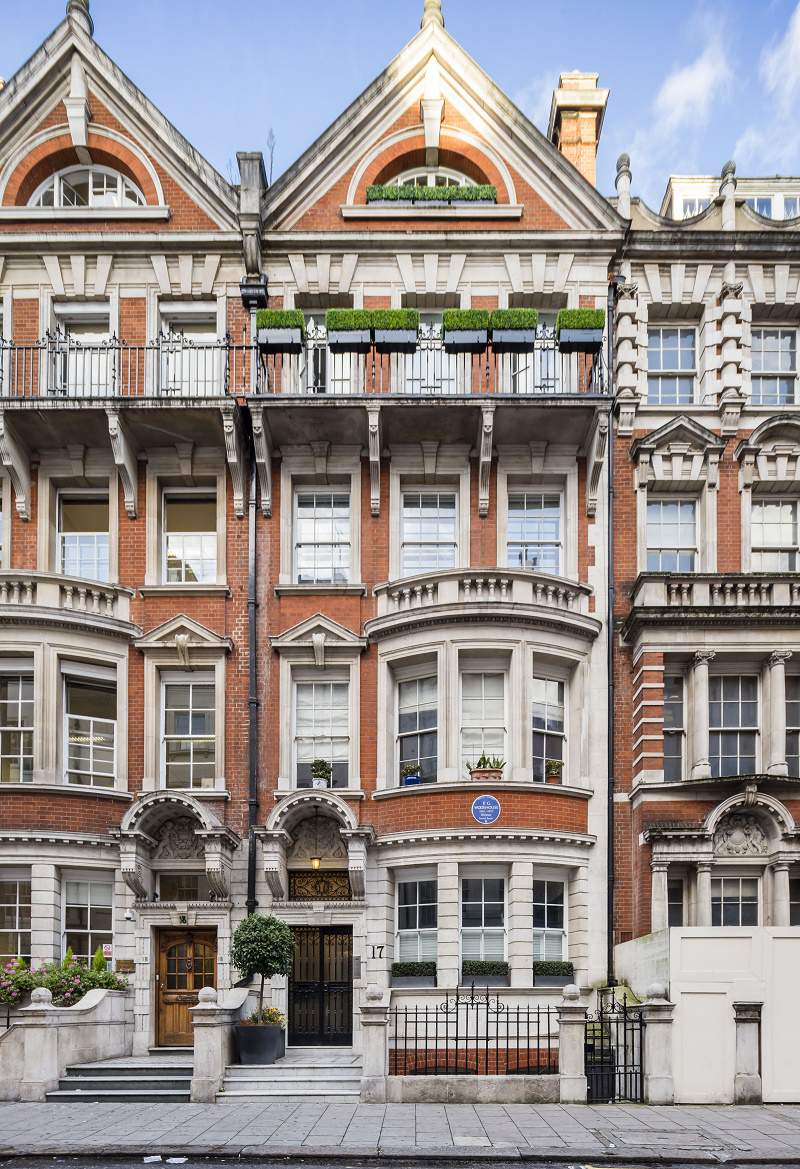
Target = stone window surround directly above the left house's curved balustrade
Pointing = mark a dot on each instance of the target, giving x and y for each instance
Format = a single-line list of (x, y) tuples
[(58, 473)]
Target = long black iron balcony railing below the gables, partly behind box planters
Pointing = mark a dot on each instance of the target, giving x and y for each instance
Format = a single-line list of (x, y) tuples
[(60, 366)]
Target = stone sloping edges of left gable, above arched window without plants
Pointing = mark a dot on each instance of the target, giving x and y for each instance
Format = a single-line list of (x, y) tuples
[(33, 98)]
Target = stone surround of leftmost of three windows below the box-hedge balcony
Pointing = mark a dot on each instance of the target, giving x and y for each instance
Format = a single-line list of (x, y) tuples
[(322, 466)]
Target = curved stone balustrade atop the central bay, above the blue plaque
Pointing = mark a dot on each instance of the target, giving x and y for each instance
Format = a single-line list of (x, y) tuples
[(493, 596)]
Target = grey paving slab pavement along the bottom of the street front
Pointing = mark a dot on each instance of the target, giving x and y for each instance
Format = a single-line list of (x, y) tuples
[(613, 1135)]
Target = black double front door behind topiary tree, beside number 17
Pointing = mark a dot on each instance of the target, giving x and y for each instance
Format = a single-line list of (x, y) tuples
[(321, 990)]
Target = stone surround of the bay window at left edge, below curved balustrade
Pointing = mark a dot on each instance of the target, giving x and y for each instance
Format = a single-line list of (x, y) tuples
[(47, 655)]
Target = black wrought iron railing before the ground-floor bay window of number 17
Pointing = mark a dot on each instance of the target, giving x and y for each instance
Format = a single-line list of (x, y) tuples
[(473, 1034)]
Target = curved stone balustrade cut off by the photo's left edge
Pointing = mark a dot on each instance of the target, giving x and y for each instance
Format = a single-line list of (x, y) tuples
[(35, 599)]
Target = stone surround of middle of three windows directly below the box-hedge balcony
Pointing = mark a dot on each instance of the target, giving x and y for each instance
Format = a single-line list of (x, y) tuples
[(436, 467)]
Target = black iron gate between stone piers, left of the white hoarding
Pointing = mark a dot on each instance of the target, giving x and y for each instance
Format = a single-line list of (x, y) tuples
[(613, 1052)]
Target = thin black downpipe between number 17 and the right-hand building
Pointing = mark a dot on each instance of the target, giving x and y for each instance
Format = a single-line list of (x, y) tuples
[(610, 639)]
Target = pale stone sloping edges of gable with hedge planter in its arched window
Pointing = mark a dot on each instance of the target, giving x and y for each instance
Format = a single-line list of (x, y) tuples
[(477, 101)]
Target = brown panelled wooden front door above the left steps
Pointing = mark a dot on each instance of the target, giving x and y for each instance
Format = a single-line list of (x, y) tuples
[(187, 964)]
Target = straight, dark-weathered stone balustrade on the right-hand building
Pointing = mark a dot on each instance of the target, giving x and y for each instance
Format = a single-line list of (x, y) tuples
[(713, 598)]
